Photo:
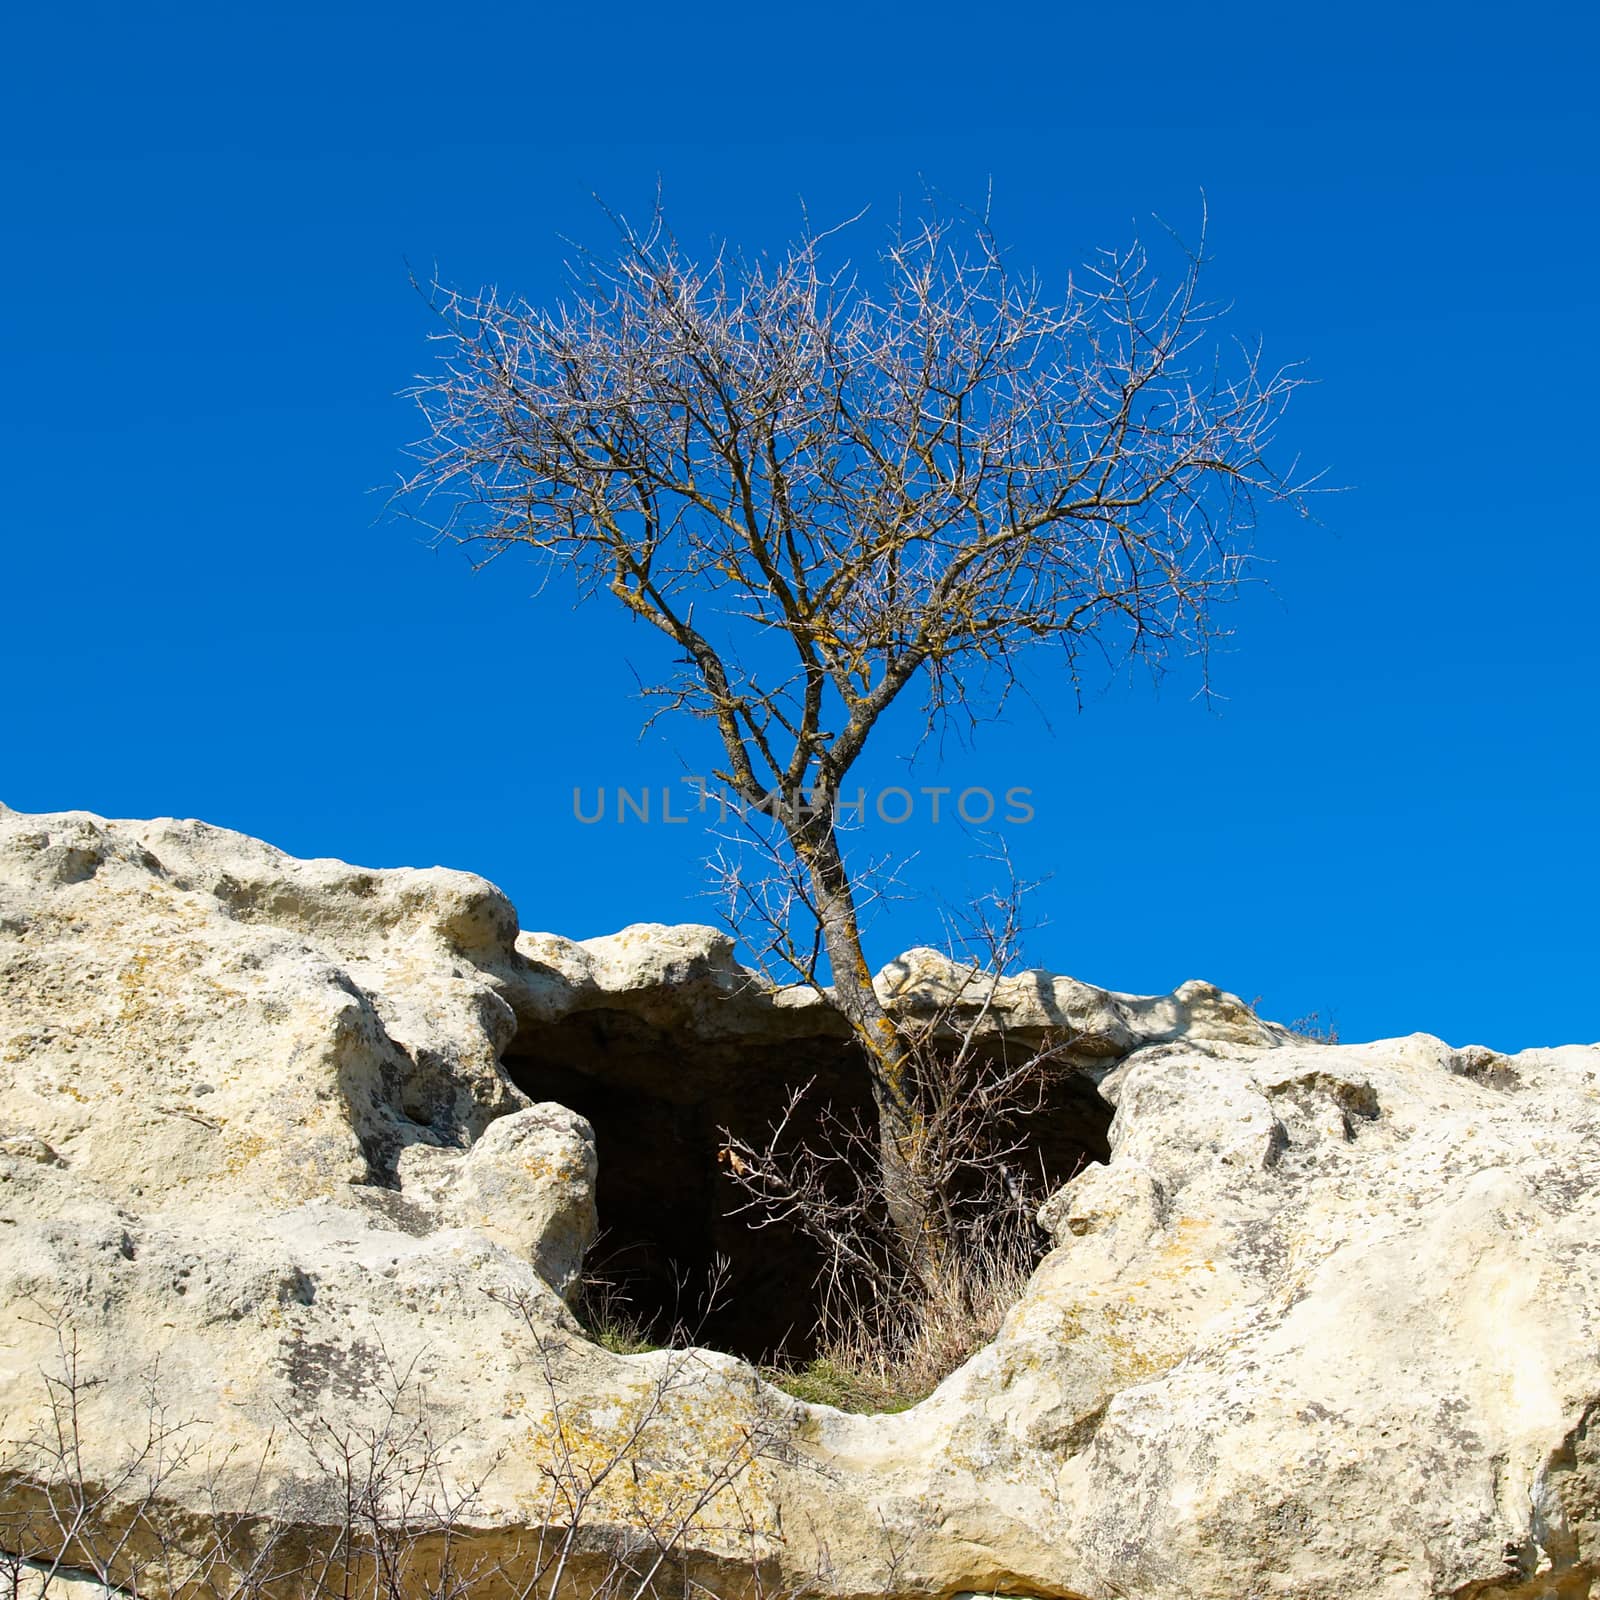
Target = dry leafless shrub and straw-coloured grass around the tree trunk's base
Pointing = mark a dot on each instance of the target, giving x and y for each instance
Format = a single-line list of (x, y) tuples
[(897, 1313)]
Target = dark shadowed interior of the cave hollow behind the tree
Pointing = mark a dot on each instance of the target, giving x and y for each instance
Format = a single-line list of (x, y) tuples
[(658, 1100)]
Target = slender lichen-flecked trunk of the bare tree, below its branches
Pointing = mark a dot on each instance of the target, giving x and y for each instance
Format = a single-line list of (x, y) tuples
[(889, 1060)]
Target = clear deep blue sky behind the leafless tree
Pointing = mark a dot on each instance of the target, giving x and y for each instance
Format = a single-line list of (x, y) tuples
[(209, 214)]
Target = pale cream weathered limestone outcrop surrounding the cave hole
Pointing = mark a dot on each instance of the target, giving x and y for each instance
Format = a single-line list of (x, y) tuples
[(278, 1156)]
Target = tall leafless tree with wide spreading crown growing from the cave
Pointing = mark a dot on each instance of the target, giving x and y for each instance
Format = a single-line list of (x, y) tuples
[(834, 489)]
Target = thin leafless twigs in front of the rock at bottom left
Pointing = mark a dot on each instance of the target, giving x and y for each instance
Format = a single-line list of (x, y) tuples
[(404, 1527)]
